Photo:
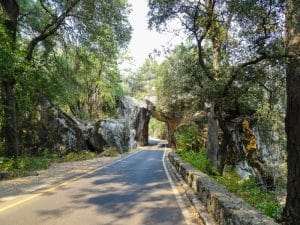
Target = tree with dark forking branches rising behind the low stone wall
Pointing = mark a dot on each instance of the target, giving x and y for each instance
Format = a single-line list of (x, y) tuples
[(233, 43)]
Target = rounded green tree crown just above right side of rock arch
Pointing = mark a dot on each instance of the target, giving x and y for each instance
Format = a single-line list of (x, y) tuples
[(177, 83)]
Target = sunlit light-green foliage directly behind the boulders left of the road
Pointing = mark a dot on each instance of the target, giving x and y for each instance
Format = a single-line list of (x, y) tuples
[(92, 83)]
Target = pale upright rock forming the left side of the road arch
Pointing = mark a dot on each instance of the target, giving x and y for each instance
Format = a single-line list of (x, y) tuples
[(136, 116)]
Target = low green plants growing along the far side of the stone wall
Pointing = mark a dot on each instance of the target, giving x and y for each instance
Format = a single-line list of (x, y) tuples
[(248, 189)]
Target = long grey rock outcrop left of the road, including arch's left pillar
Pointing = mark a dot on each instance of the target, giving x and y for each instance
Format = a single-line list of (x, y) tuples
[(64, 133)]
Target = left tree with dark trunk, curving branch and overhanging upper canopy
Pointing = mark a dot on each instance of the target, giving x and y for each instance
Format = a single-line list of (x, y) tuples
[(32, 27)]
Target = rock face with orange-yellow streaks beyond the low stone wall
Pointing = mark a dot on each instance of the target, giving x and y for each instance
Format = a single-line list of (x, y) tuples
[(247, 152)]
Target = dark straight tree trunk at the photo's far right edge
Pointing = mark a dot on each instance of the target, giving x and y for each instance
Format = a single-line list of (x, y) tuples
[(292, 123)]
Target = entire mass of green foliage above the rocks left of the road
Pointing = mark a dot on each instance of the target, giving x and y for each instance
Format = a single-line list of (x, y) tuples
[(73, 62)]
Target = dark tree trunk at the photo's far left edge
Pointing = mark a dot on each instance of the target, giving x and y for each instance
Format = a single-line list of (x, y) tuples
[(10, 126)]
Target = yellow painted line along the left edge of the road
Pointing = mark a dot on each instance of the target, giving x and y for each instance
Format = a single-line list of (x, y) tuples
[(33, 196)]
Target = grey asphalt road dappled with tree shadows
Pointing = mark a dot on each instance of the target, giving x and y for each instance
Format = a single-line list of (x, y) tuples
[(132, 191)]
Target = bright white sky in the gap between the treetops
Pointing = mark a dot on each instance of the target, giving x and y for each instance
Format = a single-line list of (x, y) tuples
[(143, 40)]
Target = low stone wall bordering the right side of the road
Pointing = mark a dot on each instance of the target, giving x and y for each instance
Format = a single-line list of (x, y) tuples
[(225, 207)]
